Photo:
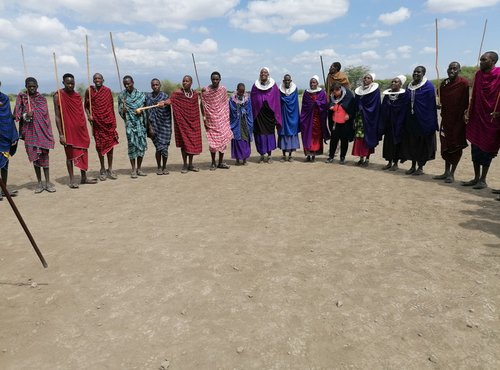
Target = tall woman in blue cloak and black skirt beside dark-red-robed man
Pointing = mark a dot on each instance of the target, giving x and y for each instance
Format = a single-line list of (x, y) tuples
[(420, 126)]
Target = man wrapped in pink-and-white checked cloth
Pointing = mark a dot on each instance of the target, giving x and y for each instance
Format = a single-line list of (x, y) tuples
[(215, 107)]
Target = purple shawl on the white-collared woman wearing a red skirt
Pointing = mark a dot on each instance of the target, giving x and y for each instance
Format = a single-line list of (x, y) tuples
[(307, 113)]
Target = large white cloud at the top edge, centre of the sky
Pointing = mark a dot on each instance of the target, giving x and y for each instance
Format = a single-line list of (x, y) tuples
[(280, 16)]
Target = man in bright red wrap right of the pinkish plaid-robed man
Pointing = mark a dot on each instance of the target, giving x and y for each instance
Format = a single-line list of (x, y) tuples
[(72, 127)]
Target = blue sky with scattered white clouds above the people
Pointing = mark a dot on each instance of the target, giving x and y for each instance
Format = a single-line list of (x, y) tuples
[(155, 38)]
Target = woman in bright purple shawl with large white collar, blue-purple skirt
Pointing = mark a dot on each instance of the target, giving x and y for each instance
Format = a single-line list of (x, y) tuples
[(266, 109)]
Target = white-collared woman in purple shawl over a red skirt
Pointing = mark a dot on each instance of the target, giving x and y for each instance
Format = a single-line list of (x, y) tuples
[(313, 119)]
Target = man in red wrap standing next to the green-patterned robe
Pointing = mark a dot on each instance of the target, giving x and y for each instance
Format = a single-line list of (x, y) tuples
[(100, 111)]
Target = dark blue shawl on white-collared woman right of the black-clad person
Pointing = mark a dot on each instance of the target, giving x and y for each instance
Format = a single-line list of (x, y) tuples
[(369, 107)]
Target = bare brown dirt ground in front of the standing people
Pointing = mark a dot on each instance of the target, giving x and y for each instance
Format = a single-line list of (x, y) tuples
[(271, 266)]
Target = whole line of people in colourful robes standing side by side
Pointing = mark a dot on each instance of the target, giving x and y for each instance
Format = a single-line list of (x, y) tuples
[(406, 119)]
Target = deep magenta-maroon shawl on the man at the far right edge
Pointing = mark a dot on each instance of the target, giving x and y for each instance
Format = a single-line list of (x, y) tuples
[(482, 130)]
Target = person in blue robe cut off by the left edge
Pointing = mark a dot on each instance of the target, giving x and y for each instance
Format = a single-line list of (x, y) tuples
[(8, 139)]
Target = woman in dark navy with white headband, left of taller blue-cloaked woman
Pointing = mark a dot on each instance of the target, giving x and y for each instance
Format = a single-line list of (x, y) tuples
[(394, 107)]
